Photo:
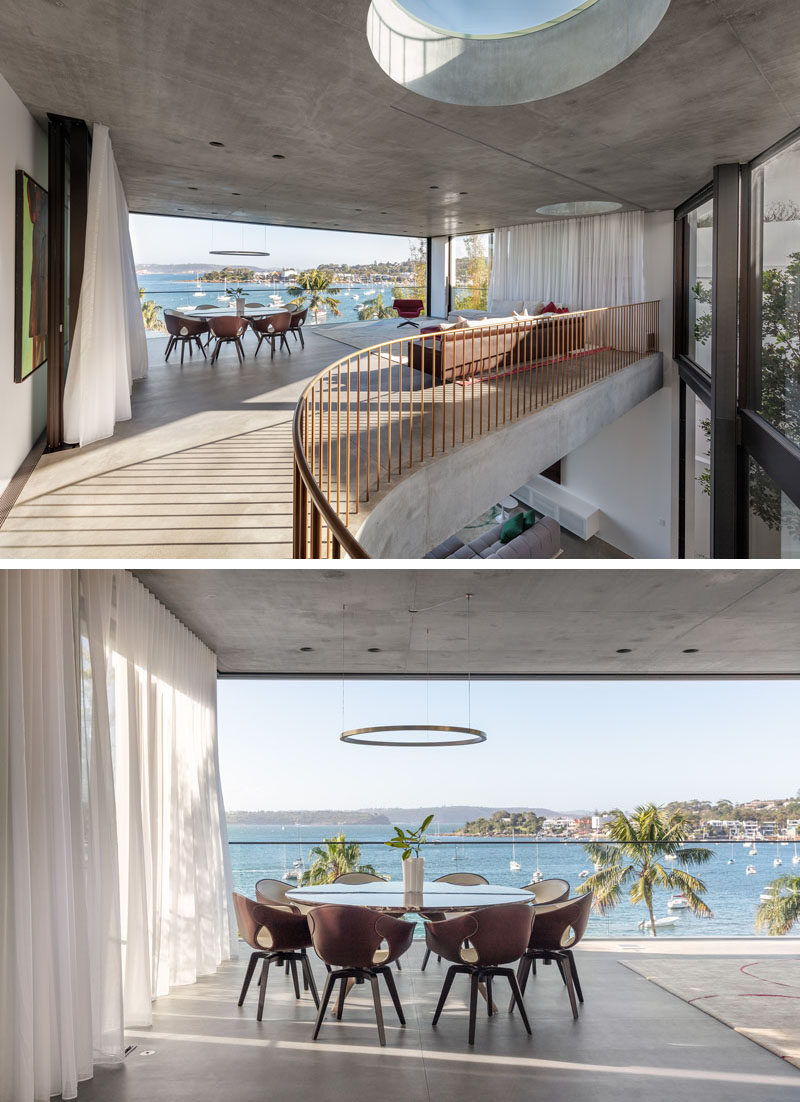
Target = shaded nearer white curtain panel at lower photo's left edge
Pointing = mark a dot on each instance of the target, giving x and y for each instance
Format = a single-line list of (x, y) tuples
[(61, 1004)]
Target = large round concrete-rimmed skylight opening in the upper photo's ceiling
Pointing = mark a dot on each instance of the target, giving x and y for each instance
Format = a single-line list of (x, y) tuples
[(480, 55)]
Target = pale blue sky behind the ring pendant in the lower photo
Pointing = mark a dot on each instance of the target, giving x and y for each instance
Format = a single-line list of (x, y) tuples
[(568, 747)]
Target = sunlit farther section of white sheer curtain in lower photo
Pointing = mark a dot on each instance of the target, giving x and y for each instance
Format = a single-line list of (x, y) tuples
[(175, 867)]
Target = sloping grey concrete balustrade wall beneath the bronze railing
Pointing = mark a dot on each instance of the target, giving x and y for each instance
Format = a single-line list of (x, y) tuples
[(442, 496)]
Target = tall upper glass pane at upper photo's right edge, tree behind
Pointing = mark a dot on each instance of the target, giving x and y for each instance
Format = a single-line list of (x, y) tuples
[(776, 204)]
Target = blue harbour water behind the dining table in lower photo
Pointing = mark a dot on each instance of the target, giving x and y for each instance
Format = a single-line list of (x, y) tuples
[(732, 895)]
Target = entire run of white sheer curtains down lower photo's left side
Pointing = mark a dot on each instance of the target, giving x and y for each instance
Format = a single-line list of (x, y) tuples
[(115, 878)]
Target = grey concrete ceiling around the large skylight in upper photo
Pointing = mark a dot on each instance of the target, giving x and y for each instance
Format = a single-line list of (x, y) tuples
[(718, 82)]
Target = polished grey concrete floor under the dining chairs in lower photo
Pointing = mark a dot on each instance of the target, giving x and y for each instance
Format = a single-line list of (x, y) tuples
[(633, 1043)]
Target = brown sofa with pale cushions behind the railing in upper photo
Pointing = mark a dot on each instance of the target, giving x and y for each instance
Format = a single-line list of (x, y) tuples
[(479, 348)]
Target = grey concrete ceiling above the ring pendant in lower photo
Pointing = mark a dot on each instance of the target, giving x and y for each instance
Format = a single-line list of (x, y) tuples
[(524, 623)]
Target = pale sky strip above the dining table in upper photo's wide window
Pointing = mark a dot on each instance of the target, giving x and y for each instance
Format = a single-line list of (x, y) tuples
[(163, 241)]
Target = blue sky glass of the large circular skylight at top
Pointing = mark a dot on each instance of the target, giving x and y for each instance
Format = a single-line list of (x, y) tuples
[(479, 19)]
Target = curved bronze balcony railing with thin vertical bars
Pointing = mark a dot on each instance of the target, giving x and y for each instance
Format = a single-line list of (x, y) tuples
[(380, 413)]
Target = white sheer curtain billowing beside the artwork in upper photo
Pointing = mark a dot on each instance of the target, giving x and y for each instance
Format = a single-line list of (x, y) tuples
[(110, 347)]
